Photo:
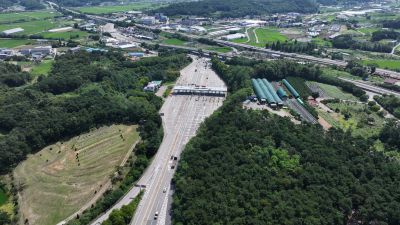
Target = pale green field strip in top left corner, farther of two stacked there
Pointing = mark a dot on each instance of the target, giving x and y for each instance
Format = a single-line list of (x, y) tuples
[(27, 16)]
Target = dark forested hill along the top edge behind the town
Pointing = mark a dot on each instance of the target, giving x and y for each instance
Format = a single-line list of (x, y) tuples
[(239, 8)]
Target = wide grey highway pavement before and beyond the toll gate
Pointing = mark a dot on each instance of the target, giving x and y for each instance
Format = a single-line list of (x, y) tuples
[(183, 115)]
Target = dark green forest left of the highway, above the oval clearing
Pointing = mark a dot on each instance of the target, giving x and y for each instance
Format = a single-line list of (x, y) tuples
[(82, 91)]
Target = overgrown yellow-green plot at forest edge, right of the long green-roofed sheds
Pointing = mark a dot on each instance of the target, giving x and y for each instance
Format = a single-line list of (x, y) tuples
[(358, 120)]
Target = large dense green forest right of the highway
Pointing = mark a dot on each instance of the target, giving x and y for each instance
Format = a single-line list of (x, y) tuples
[(252, 167)]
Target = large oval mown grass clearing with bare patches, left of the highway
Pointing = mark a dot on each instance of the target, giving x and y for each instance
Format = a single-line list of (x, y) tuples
[(63, 177)]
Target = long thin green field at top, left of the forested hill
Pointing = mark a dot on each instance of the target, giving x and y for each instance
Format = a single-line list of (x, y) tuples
[(119, 8)]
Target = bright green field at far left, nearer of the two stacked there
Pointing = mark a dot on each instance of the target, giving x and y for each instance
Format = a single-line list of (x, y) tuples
[(31, 27)]
